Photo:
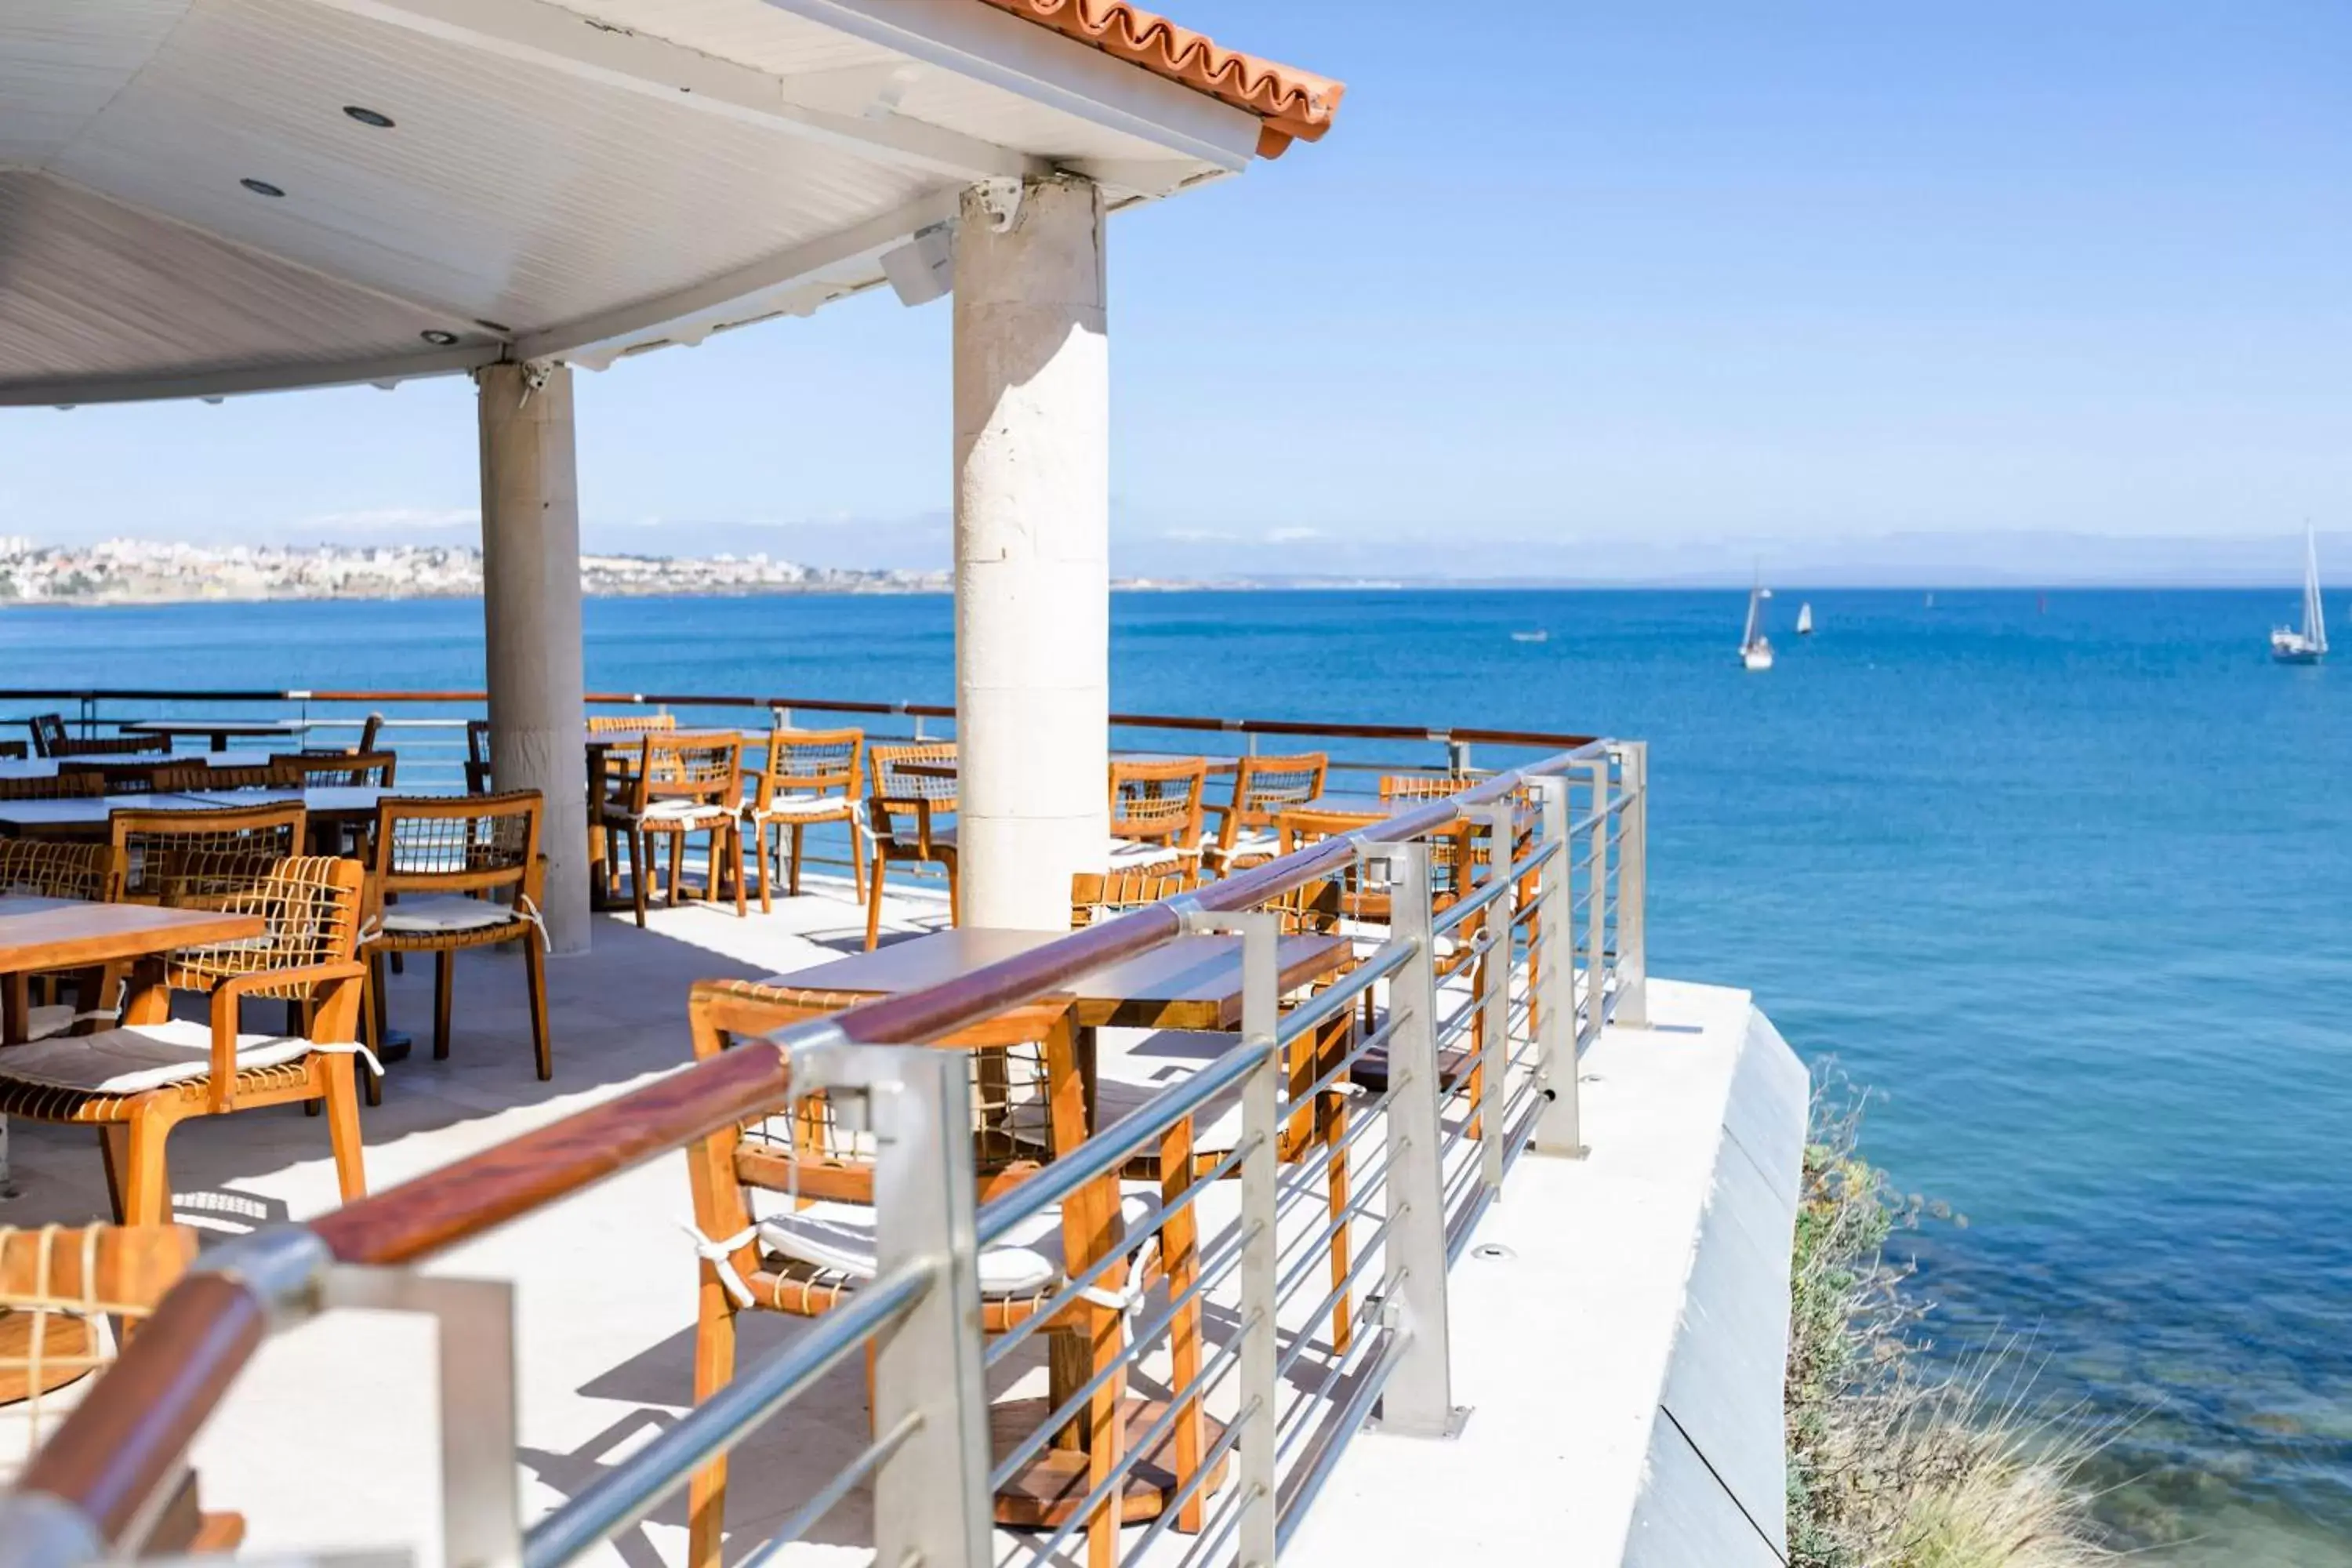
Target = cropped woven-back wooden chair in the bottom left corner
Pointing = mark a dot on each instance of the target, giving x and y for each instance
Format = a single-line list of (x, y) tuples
[(69, 1301)]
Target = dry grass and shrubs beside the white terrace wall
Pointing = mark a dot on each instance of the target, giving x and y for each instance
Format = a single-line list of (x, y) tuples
[(1895, 1466)]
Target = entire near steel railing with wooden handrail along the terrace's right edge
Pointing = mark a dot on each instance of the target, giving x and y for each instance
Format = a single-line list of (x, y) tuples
[(1495, 934)]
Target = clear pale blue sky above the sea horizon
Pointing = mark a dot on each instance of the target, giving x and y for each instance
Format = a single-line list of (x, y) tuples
[(1568, 276)]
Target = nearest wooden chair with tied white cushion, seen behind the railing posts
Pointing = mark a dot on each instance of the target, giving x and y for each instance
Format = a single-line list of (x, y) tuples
[(1029, 1108)]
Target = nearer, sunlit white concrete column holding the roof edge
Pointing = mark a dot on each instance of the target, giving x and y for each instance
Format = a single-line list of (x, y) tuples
[(1031, 549)]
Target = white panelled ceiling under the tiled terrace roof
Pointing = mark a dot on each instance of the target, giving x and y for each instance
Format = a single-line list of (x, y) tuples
[(563, 180)]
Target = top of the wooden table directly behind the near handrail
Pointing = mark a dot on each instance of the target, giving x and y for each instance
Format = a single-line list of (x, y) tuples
[(1187, 984)]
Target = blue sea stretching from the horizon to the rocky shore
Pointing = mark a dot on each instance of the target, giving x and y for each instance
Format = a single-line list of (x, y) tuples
[(2069, 885)]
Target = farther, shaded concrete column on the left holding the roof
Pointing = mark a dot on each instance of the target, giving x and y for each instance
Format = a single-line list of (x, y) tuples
[(533, 622)]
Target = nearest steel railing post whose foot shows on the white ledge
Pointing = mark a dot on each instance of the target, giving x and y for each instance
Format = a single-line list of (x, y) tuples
[(1419, 1400)]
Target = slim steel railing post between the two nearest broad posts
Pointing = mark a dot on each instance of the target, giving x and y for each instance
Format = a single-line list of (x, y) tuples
[(1262, 1339)]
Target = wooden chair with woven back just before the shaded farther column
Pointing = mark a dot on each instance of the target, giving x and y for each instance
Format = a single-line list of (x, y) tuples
[(446, 876)]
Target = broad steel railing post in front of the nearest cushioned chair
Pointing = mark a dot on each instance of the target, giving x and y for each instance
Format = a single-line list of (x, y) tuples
[(933, 1499)]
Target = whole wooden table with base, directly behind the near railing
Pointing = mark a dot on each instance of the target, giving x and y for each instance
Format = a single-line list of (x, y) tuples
[(1187, 984)]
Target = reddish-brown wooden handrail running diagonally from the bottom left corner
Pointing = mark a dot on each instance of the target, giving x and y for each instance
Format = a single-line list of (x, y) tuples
[(126, 1440)]
